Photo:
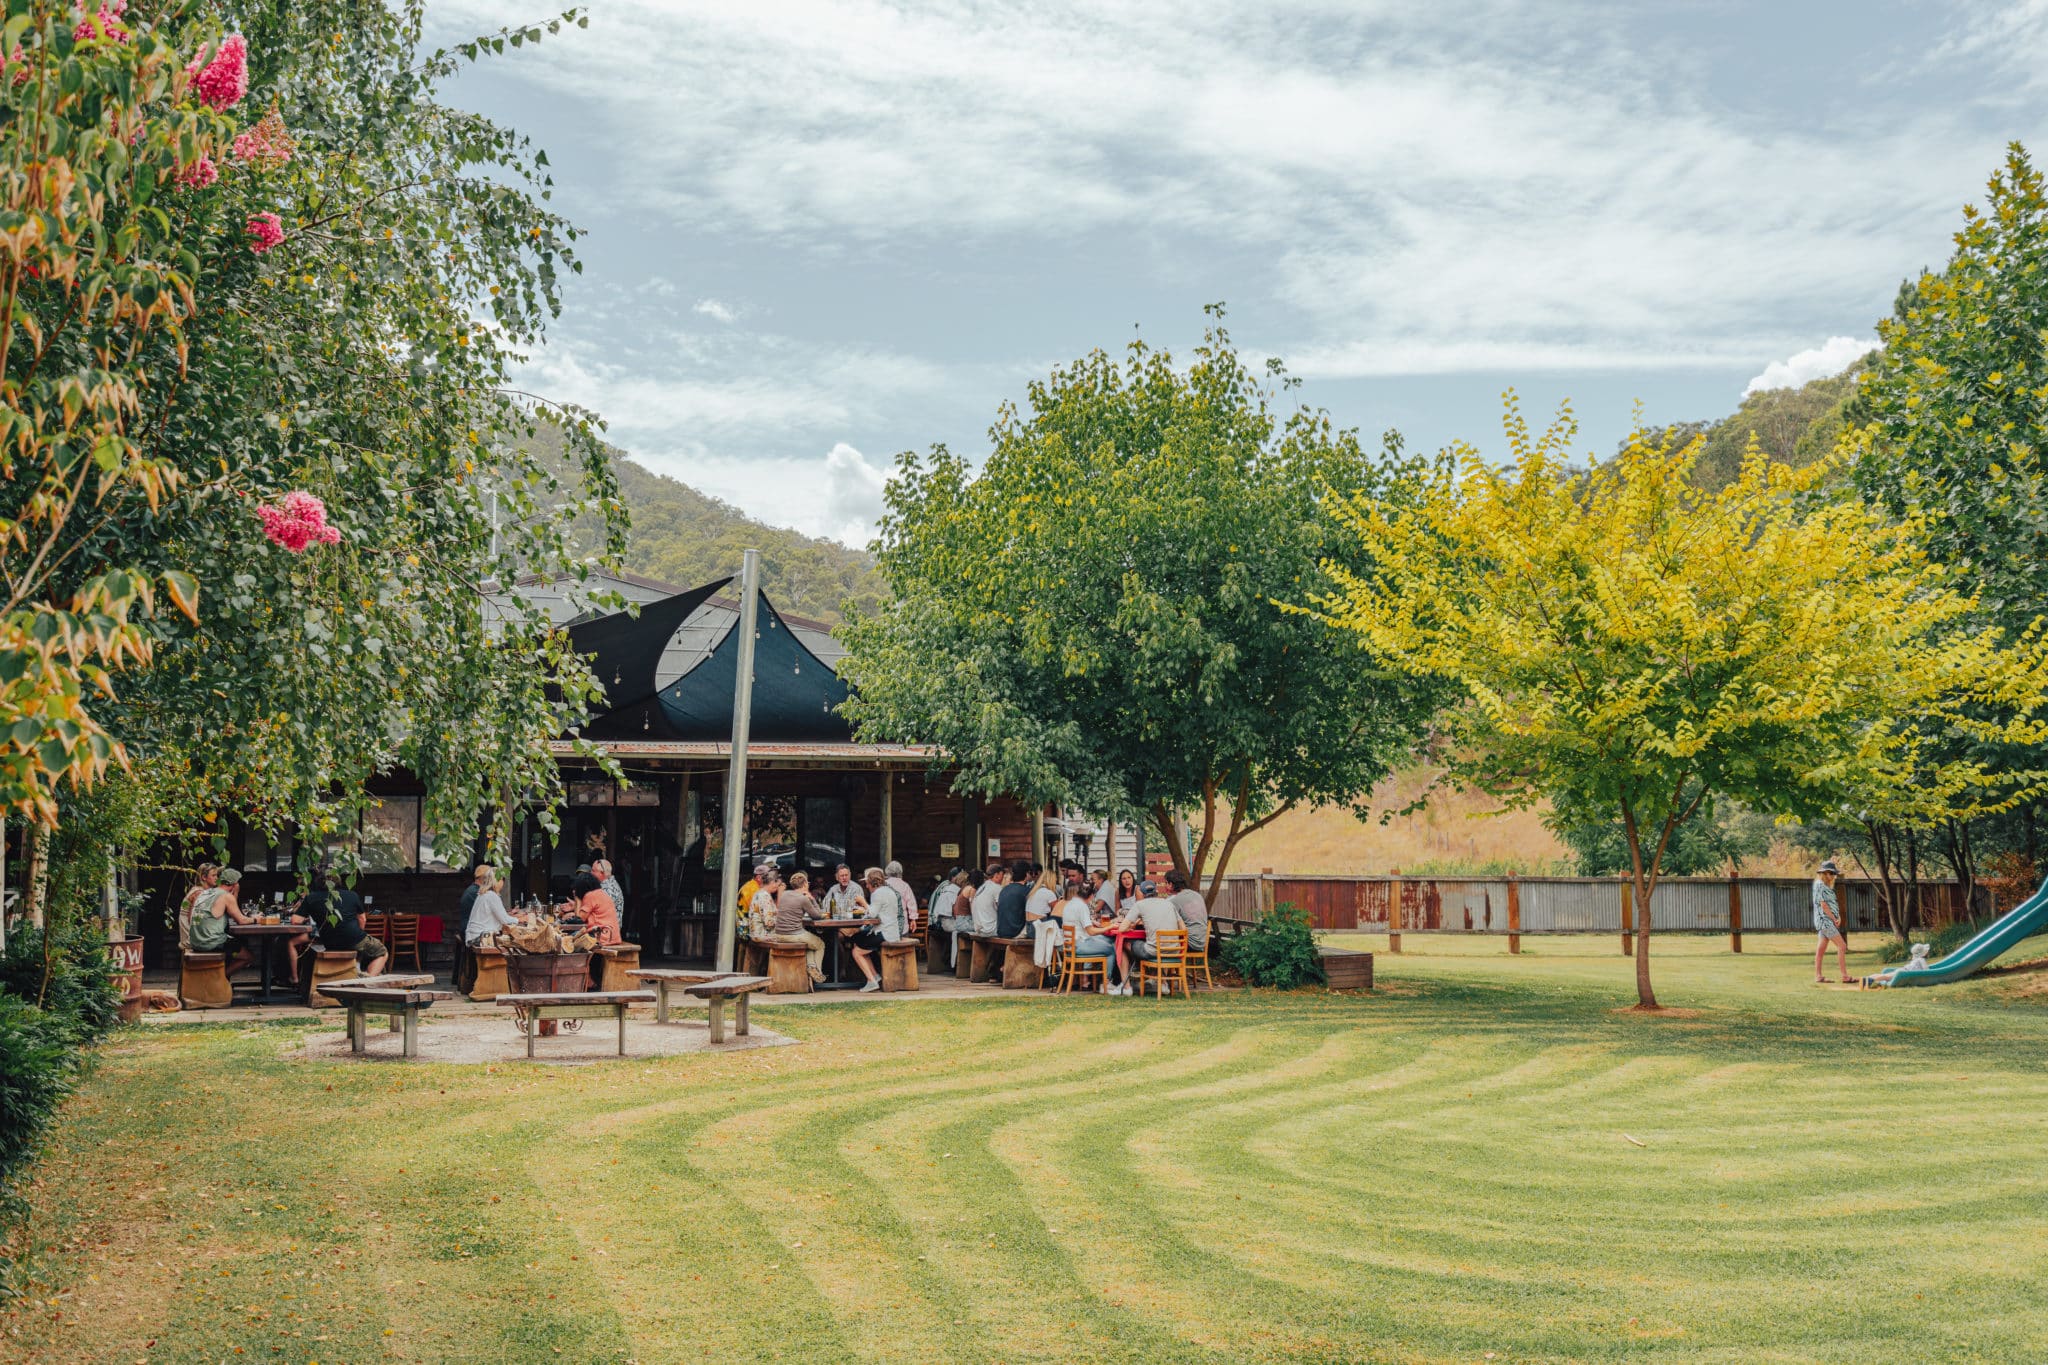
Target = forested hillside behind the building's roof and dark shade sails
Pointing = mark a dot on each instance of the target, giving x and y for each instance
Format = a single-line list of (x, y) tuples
[(687, 537)]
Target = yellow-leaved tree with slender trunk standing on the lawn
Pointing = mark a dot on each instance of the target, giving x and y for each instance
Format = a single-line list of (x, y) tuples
[(1629, 642)]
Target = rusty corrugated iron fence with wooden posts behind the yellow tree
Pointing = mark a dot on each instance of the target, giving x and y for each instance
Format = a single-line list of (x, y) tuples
[(1566, 904)]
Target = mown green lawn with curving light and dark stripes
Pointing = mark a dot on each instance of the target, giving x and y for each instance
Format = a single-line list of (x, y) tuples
[(1443, 1172)]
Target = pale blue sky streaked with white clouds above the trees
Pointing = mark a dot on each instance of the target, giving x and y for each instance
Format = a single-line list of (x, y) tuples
[(826, 232)]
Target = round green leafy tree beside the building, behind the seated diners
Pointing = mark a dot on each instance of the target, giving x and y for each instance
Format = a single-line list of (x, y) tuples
[(1097, 615)]
